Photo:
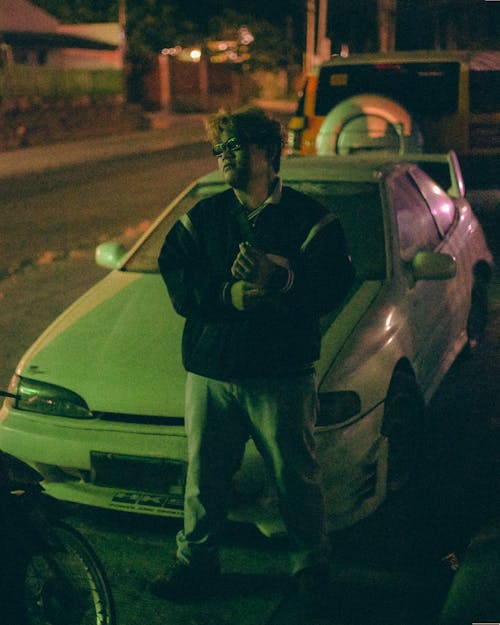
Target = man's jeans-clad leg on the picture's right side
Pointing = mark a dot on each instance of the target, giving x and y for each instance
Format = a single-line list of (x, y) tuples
[(283, 415)]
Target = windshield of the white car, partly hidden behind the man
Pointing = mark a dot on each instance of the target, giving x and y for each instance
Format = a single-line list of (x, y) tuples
[(357, 205)]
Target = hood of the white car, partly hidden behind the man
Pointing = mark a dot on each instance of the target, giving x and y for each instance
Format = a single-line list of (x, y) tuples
[(119, 346)]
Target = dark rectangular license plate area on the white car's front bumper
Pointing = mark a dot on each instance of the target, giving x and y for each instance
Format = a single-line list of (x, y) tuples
[(152, 475)]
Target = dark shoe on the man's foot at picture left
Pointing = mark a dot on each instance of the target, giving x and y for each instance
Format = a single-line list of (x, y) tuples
[(186, 583)]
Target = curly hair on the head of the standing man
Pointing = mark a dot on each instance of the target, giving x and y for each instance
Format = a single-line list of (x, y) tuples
[(251, 125)]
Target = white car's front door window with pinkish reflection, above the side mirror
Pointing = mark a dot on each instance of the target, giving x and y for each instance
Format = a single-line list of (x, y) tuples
[(416, 226)]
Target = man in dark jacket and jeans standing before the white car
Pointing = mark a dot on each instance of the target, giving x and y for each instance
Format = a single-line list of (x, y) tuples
[(251, 269)]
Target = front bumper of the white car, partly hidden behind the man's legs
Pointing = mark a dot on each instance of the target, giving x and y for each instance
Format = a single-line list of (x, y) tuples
[(64, 451)]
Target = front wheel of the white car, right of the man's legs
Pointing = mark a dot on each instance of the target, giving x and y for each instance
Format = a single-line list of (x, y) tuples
[(403, 425)]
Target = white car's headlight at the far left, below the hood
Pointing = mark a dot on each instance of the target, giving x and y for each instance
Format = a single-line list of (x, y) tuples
[(36, 396)]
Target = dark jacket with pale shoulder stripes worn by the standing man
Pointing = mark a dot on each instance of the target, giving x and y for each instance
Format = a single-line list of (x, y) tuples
[(281, 336)]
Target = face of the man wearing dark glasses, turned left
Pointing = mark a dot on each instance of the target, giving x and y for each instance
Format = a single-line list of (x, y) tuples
[(242, 165)]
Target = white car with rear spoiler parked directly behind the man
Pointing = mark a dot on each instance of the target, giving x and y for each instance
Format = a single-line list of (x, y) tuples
[(100, 395)]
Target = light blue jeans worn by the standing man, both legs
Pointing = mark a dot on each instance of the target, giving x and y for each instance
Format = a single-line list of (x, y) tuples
[(279, 414)]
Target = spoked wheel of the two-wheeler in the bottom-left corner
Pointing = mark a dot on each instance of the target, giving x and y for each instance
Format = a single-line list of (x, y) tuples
[(67, 586)]
